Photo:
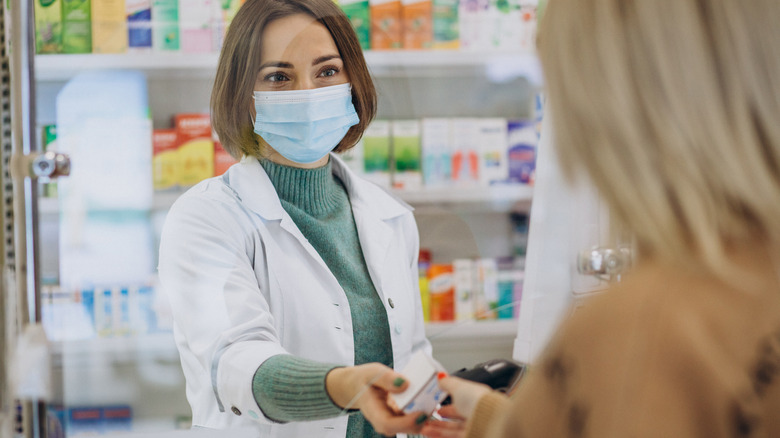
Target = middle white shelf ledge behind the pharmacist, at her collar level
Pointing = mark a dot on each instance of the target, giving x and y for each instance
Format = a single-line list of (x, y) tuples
[(499, 197)]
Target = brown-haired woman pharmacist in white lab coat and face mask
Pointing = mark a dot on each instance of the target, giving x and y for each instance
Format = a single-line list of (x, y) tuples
[(293, 282)]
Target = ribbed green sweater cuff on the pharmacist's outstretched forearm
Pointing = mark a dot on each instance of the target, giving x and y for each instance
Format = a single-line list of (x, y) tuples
[(290, 388)]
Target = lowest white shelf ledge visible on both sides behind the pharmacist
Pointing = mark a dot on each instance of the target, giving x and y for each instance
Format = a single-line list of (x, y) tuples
[(120, 349)]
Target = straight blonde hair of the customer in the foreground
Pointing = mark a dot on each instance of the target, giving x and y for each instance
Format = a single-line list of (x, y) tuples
[(672, 109)]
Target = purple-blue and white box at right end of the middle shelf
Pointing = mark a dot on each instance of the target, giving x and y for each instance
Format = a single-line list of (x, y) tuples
[(522, 137)]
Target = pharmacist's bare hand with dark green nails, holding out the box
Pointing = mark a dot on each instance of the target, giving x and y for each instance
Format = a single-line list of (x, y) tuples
[(367, 387)]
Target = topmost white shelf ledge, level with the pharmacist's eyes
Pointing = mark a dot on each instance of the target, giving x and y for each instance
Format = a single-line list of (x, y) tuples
[(403, 62)]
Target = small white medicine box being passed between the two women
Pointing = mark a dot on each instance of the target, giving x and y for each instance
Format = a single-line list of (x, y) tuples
[(423, 393)]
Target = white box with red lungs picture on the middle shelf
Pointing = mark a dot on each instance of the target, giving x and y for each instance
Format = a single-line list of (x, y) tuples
[(465, 151)]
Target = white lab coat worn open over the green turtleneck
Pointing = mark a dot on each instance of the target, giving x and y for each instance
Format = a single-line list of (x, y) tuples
[(245, 285)]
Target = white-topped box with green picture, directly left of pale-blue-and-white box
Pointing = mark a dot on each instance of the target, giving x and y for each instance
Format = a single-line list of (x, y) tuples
[(407, 172)]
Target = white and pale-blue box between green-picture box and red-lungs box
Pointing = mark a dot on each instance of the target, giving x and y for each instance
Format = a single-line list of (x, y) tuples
[(436, 144)]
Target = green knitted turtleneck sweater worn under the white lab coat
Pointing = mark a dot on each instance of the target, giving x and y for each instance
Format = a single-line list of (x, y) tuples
[(290, 388)]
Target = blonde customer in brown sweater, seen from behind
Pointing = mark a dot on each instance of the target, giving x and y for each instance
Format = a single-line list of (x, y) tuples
[(671, 108)]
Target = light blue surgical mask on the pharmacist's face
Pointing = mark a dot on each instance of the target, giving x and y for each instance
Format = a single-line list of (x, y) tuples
[(304, 125)]
